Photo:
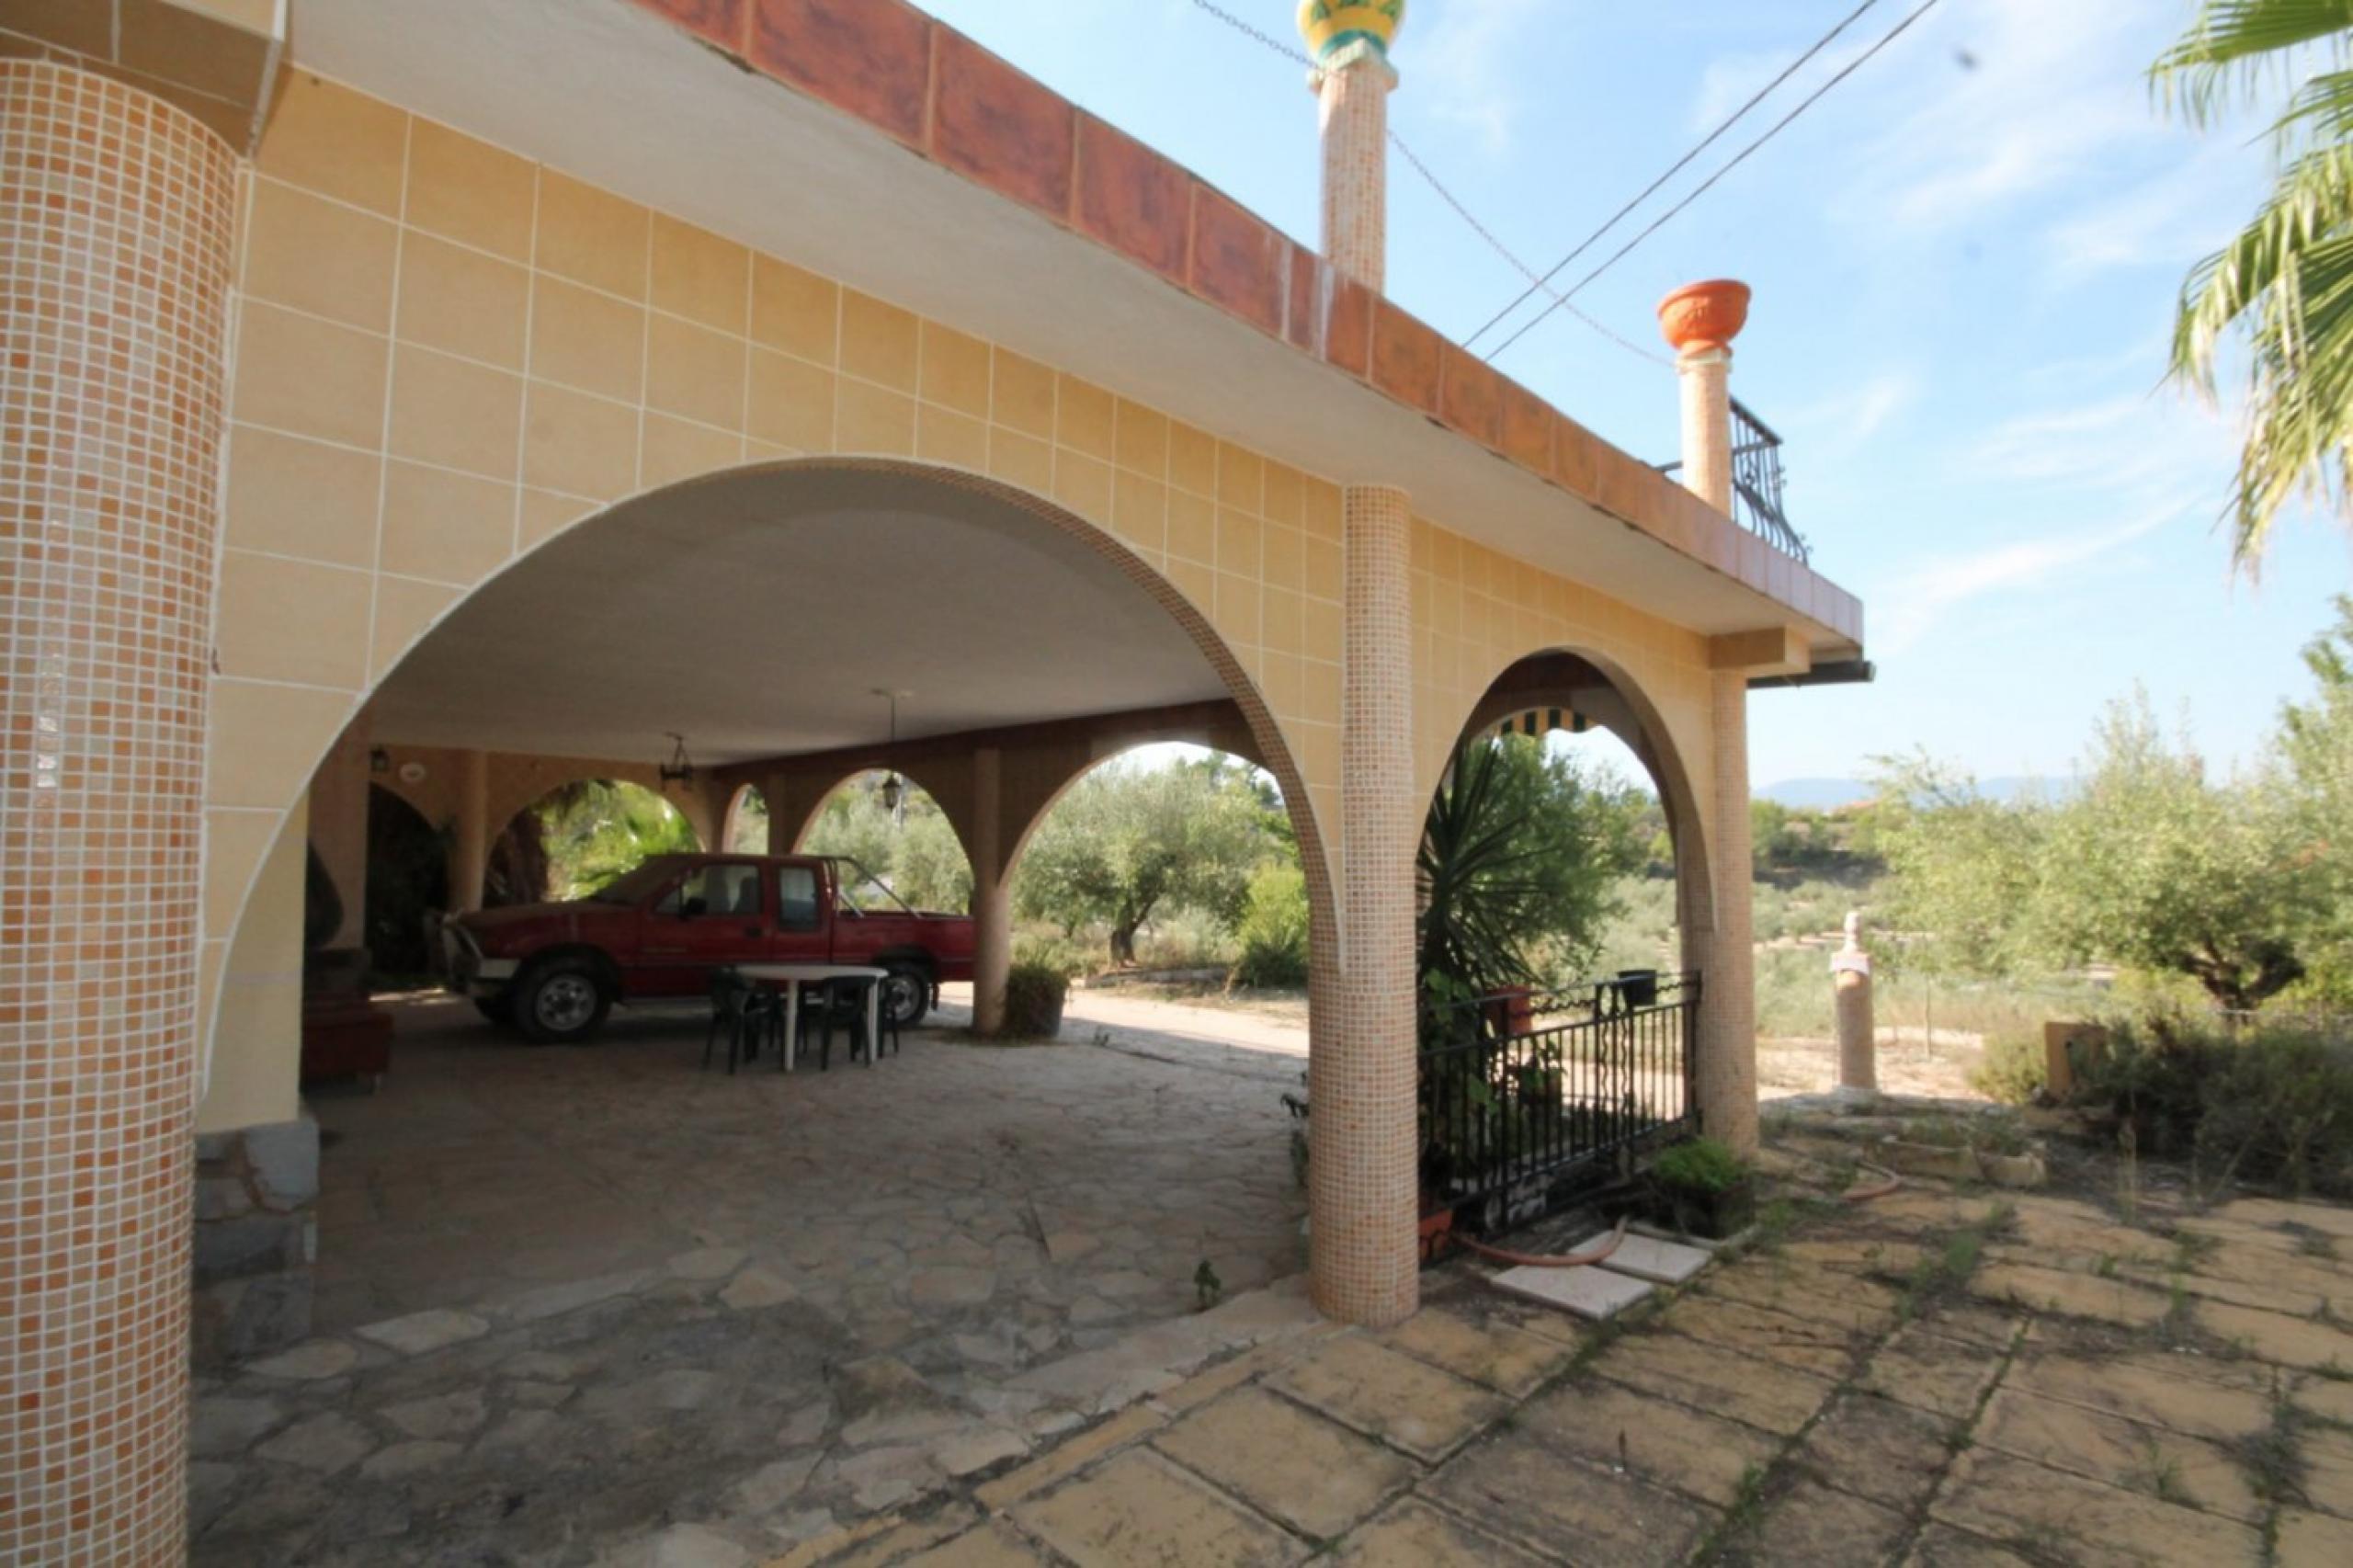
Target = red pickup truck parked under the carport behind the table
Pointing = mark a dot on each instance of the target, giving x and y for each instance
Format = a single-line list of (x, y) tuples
[(655, 934)]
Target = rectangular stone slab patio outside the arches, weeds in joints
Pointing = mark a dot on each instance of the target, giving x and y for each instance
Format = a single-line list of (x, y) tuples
[(1935, 1378)]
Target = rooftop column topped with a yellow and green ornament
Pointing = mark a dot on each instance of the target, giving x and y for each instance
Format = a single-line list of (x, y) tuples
[(1354, 79)]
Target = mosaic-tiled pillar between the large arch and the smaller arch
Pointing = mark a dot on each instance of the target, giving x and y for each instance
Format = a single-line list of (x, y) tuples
[(1361, 1068)]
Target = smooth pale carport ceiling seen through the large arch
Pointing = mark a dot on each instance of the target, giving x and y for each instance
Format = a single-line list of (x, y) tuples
[(756, 616)]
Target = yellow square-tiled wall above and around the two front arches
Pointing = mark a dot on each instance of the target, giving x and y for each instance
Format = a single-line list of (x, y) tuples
[(448, 354)]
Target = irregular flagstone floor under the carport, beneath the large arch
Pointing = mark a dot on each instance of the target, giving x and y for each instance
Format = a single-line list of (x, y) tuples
[(575, 1296)]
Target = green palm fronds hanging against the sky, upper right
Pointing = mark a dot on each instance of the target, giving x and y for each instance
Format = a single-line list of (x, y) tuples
[(2286, 284)]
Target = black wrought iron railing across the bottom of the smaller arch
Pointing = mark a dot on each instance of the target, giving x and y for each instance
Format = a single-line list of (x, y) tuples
[(1528, 1091)]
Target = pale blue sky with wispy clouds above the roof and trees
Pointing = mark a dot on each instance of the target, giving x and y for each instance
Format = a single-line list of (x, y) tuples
[(1964, 265)]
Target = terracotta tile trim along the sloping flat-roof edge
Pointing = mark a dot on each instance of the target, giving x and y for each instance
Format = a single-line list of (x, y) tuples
[(971, 112)]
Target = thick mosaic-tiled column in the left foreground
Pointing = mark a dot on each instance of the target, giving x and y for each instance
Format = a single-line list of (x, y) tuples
[(116, 227)]
